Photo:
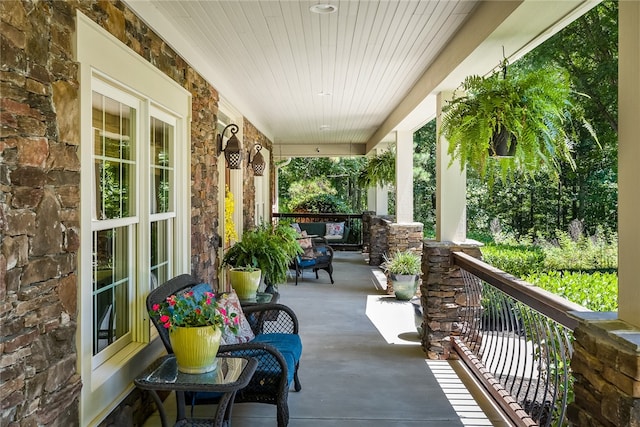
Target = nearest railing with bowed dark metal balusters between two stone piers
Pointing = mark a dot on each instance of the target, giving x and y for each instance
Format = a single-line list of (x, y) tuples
[(517, 339)]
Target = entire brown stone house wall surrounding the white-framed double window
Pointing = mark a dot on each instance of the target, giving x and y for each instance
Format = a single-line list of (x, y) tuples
[(40, 197)]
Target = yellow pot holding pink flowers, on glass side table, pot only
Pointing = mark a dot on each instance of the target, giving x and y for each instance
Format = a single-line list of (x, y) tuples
[(195, 348)]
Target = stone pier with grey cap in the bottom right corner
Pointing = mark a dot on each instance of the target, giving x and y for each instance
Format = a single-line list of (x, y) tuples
[(606, 369)]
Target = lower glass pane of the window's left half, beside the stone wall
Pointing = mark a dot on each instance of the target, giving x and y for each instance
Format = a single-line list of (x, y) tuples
[(110, 286)]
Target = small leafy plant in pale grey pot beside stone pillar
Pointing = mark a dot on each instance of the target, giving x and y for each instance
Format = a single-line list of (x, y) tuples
[(403, 270)]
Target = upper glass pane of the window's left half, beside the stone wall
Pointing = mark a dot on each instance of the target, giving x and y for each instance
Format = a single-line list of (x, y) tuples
[(114, 132)]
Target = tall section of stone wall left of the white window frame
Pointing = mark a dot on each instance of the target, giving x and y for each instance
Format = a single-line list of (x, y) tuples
[(39, 215)]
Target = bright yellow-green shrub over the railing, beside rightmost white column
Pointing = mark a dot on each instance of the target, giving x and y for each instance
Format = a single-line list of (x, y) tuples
[(595, 291)]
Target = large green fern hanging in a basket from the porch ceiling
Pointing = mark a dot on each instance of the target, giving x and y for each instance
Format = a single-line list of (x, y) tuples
[(530, 113)]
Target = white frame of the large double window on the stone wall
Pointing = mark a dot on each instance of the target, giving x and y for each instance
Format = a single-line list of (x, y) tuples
[(104, 58)]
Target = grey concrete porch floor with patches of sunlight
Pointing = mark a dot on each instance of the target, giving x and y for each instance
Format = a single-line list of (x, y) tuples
[(362, 363)]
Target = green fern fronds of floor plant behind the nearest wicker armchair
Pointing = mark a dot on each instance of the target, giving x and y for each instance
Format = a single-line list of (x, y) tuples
[(270, 248)]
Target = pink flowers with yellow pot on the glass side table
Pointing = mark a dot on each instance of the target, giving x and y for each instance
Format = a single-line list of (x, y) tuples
[(195, 321)]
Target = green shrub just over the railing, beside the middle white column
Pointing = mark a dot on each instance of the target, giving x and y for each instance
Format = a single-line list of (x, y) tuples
[(517, 260)]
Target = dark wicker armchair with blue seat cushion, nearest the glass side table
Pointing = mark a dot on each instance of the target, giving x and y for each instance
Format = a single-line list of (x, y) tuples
[(277, 347)]
